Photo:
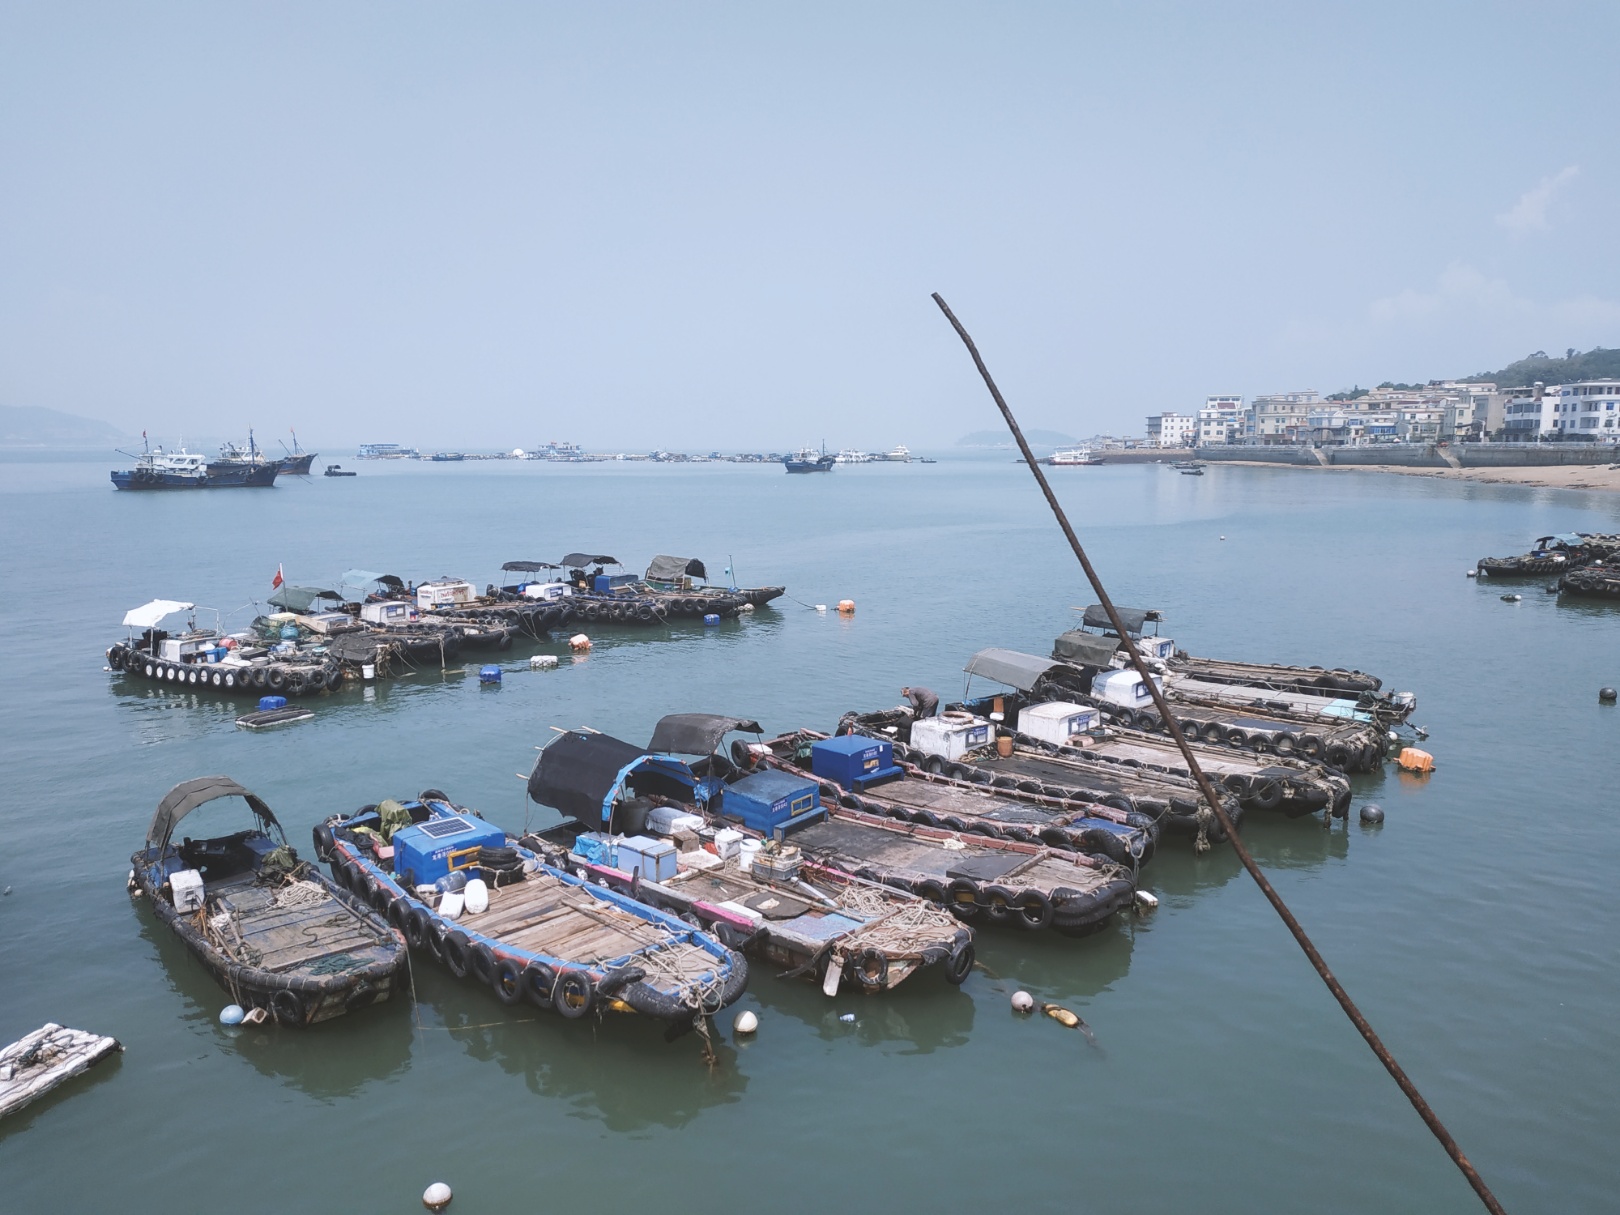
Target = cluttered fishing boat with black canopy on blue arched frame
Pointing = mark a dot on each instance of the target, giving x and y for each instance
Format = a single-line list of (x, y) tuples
[(772, 902)]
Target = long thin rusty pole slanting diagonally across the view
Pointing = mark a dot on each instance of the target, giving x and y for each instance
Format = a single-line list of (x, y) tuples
[(1430, 1117)]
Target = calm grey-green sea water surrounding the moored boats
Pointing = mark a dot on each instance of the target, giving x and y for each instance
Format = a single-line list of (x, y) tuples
[(1477, 927)]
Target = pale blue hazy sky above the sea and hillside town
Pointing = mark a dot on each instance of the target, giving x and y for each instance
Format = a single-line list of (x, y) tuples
[(697, 226)]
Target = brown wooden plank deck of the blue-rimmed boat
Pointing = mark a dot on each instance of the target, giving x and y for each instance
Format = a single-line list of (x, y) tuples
[(556, 919)]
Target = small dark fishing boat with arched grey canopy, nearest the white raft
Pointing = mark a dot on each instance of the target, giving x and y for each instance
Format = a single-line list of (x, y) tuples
[(271, 929)]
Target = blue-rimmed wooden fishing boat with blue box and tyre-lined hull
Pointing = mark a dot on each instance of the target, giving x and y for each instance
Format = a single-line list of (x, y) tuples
[(493, 910)]
